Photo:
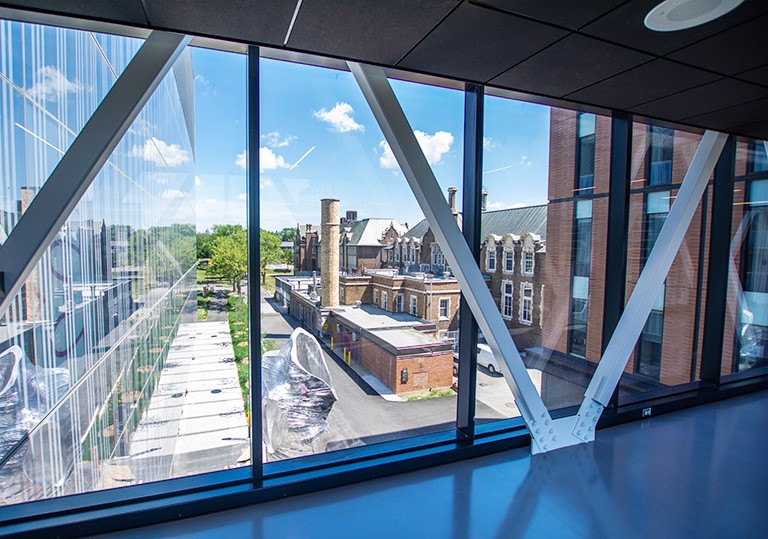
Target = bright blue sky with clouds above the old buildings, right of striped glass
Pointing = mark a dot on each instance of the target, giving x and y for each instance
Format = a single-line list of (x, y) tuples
[(319, 139)]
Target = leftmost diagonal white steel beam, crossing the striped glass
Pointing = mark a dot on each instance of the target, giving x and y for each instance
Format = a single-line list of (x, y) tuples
[(90, 150)]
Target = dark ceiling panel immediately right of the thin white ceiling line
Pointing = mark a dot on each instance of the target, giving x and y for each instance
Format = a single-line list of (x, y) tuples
[(372, 30)]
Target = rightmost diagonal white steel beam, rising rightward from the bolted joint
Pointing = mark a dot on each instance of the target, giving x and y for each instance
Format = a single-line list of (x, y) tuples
[(649, 285)]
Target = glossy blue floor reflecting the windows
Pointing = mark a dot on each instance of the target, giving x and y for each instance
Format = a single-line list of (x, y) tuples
[(701, 472)]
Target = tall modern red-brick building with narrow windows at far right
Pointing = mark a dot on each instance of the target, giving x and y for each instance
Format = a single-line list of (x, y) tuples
[(668, 350)]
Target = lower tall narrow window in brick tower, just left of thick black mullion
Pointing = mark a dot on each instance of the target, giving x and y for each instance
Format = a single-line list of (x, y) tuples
[(582, 257)]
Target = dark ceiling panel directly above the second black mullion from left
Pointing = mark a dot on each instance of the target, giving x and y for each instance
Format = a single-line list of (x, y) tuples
[(477, 43)]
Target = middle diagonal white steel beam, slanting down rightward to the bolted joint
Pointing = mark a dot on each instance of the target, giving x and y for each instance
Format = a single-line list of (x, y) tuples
[(398, 133)]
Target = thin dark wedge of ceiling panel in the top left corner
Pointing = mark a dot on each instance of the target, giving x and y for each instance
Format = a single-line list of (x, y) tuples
[(128, 11)]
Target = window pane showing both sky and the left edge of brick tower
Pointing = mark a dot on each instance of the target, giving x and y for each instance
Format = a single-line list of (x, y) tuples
[(548, 209)]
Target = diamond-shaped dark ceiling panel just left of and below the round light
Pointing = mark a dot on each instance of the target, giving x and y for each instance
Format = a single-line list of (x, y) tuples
[(569, 65)]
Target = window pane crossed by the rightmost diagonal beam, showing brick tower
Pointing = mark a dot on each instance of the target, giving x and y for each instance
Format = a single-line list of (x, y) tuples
[(668, 350)]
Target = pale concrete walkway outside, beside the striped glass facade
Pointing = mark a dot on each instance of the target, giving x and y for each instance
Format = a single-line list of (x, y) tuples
[(196, 421)]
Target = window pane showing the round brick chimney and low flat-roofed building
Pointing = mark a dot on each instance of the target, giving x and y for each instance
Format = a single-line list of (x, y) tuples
[(395, 291)]
